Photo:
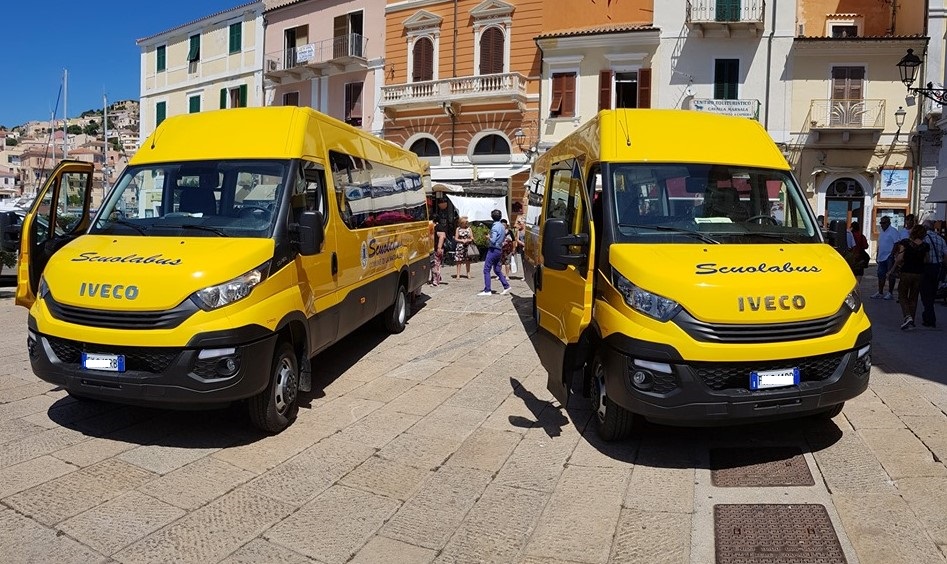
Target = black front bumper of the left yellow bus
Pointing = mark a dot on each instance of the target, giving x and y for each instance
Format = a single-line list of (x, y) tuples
[(213, 369)]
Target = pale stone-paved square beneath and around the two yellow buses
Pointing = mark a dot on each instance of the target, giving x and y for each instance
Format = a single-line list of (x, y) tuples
[(441, 444)]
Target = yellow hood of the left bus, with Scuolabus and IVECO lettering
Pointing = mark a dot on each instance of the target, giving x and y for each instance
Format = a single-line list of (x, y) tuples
[(147, 273)]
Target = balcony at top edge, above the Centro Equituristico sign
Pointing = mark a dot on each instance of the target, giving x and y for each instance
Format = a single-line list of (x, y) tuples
[(726, 18)]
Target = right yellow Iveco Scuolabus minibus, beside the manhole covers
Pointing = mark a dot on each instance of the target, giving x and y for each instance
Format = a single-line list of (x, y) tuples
[(679, 275)]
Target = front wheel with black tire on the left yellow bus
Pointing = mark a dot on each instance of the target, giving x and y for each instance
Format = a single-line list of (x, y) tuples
[(273, 409)]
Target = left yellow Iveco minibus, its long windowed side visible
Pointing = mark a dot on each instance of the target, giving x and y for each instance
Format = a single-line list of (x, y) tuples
[(236, 245)]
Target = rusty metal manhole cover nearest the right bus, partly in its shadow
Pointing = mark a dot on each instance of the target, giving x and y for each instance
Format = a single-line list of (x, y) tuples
[(761, 466)]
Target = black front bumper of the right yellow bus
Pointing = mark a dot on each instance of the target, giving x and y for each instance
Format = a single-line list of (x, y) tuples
[(714, 393)]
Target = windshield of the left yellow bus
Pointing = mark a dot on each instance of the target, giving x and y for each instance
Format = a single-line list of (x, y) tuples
[(225, 198)]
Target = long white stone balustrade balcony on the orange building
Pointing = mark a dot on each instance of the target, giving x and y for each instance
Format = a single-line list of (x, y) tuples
[(448, 93)]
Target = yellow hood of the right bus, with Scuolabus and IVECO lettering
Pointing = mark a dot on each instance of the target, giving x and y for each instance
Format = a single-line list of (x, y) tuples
[(740, 283)]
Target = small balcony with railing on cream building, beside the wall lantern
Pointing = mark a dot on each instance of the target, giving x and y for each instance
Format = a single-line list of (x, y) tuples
[(845, 119)]
